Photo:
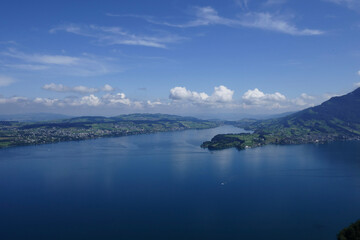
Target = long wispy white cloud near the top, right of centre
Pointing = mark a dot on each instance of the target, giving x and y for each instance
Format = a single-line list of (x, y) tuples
[(209, 16)]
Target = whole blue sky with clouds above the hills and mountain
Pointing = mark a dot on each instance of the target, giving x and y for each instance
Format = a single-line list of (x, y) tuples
[(184, 57)]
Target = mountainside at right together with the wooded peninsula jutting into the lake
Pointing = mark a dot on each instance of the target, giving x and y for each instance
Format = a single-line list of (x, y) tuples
[(336, 119)]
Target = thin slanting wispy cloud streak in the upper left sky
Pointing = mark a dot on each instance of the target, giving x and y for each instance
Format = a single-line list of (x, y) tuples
[(118, 36)]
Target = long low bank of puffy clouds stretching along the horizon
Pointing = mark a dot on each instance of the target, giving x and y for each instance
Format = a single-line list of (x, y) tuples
[(180, 99)]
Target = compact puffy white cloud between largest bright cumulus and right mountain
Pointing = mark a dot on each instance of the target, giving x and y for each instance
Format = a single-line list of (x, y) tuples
[(258, 98)]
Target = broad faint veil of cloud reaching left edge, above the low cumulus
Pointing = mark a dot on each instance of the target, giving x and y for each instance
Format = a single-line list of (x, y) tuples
[(84, 65)]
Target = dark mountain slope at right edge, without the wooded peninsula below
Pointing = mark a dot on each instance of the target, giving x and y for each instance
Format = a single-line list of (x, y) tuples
[(338, 116)]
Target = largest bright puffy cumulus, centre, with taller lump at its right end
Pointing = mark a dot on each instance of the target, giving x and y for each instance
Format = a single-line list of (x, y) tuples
[(220, 96)]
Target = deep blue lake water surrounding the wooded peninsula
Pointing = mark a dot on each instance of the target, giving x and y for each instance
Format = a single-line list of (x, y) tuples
[(164, 186)]
